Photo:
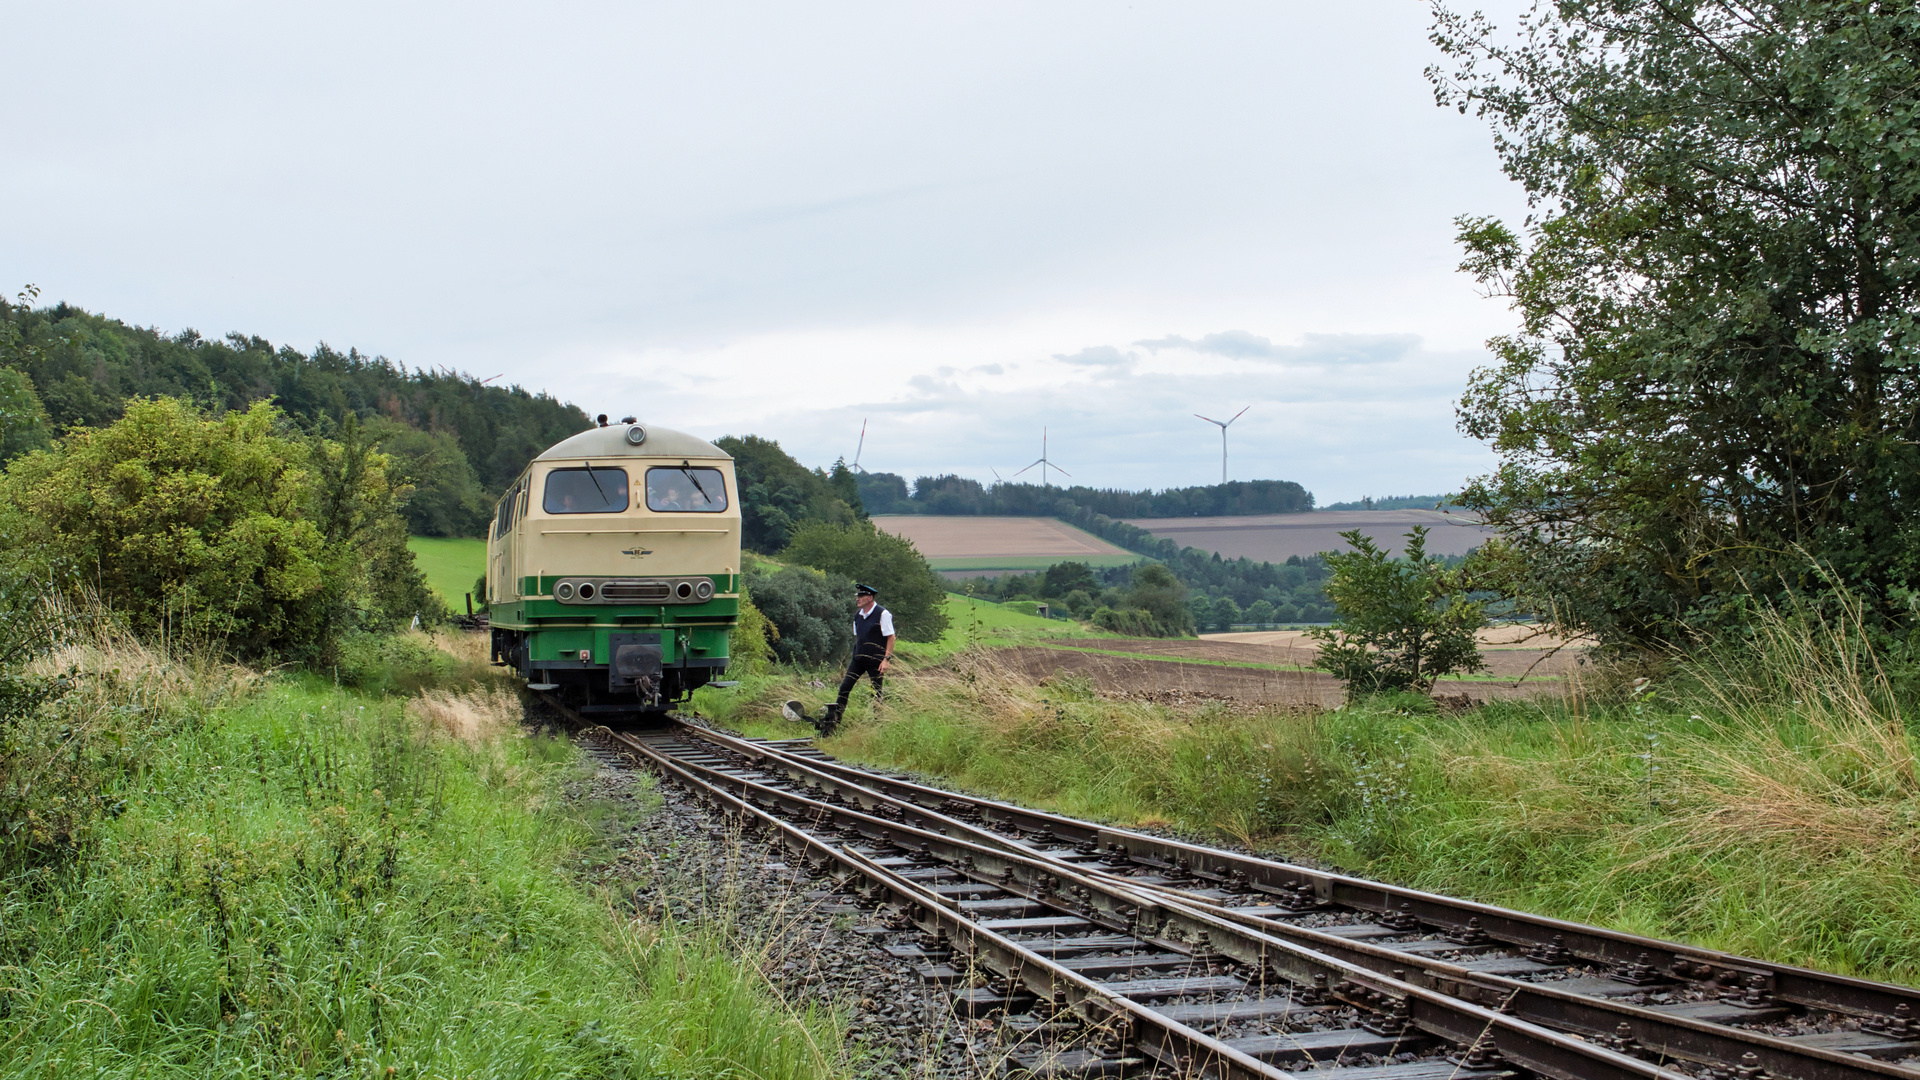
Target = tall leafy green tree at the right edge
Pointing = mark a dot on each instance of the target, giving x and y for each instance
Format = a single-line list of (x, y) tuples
[(1716, 385)]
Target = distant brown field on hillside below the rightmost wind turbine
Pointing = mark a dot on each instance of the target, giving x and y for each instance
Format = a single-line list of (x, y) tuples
[(1276, 537)]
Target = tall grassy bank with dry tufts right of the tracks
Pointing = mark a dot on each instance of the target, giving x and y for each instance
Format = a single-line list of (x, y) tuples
[(1764, 800)]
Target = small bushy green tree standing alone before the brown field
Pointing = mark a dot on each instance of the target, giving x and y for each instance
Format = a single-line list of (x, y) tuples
[(1403, 622)]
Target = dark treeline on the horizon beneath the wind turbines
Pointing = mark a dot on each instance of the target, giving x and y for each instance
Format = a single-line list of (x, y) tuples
[(888, 493)]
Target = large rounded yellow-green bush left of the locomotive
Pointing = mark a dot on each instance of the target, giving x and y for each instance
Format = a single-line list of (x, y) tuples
[(218, 529)]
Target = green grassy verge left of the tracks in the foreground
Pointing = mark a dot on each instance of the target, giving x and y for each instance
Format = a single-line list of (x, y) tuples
[(300, 881)]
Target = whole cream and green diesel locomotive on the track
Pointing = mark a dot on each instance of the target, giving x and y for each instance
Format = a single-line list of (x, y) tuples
[(613, 568)]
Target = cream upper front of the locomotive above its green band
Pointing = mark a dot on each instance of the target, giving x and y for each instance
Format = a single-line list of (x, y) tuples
[(648, 537)]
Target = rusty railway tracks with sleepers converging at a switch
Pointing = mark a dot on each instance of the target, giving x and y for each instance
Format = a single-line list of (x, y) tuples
[(1111, 950)]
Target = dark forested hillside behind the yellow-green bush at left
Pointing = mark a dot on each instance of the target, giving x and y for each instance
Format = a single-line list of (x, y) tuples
[(452, 437)]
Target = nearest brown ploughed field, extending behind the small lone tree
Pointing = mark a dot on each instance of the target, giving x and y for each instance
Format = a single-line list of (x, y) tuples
[(1272, 668)]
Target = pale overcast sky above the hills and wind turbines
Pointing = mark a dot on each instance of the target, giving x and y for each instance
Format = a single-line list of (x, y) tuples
[(959, 222)]
